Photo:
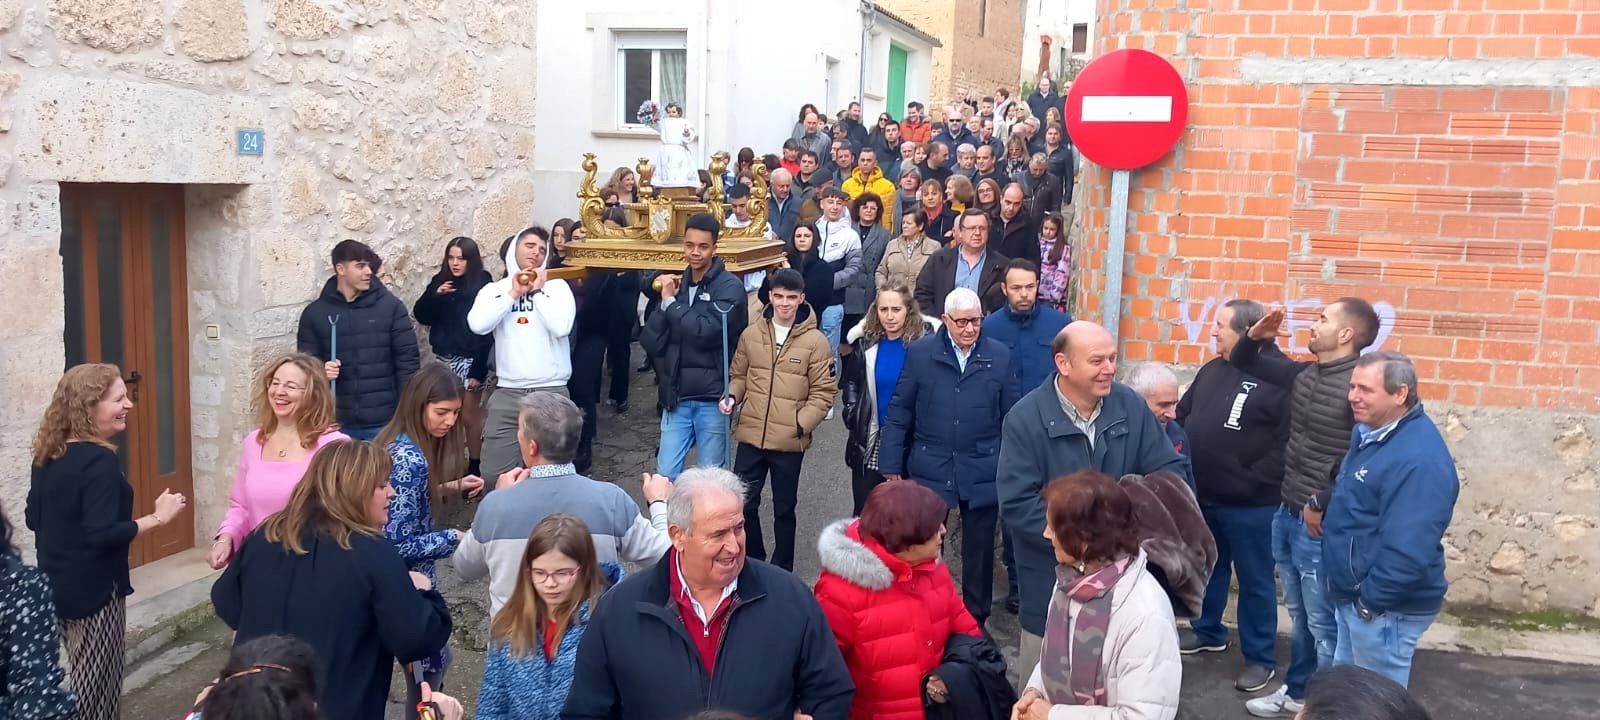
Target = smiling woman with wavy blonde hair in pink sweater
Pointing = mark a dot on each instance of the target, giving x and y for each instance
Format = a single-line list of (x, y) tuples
[(295, 418)]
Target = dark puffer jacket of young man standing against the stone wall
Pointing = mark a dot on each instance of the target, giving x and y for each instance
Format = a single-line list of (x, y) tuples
[(377, 350)]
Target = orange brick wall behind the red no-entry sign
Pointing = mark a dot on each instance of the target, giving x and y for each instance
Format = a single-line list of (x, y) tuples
[(1468, 212)]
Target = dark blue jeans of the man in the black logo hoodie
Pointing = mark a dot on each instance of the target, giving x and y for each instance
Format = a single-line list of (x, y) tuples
[(1244, 543)]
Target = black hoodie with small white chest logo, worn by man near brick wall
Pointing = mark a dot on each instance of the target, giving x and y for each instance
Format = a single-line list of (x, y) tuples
[(1238, 426)]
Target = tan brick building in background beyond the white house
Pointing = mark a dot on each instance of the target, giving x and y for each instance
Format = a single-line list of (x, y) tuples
[(970, 65)]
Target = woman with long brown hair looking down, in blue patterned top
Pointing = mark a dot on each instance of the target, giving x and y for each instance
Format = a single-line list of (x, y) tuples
[(426, 446)]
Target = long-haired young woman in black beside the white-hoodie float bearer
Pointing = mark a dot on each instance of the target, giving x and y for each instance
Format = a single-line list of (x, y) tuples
[(444, 310)]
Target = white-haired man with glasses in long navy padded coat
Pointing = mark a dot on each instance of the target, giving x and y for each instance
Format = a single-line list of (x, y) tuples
[(945, 431)]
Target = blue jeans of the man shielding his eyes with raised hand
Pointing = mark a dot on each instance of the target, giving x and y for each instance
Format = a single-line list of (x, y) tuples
[(1300, 570)]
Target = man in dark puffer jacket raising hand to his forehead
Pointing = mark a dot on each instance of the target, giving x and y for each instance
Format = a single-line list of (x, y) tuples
[(1321, 425)]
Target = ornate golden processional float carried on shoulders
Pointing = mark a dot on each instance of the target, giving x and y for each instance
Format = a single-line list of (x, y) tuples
[(654, 239)]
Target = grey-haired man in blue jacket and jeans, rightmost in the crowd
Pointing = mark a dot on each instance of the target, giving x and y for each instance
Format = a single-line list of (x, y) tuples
[(1383, 551)]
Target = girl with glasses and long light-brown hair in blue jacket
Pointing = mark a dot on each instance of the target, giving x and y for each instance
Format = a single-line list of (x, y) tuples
[(534, 639)]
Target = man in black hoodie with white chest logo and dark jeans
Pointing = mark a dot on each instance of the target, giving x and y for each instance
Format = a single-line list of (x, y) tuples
[(1239, 426)]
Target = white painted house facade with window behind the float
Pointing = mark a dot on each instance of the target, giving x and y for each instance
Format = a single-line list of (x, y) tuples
[(738, 90)]
